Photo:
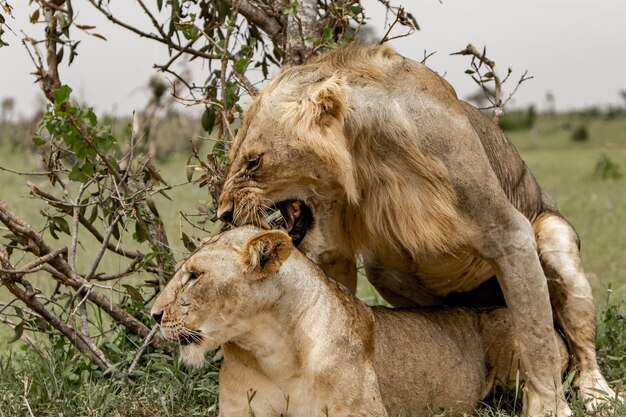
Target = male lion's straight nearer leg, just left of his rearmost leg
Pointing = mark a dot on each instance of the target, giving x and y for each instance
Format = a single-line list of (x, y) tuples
[(512, 248)]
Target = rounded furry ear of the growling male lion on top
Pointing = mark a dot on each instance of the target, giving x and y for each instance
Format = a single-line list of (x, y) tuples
[(329, 101)]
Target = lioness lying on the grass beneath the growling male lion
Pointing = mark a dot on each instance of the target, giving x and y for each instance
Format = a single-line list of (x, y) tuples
[(297, 343)]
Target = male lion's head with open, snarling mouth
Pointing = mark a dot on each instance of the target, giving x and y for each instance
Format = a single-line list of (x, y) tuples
[(290, 152)]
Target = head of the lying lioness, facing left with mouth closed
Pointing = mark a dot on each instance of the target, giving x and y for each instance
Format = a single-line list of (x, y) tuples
[(228, 279)]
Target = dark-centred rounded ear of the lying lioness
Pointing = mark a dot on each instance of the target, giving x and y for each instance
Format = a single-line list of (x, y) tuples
[(266, 252)]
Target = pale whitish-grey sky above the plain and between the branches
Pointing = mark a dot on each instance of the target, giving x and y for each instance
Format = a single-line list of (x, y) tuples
[(575, 49)]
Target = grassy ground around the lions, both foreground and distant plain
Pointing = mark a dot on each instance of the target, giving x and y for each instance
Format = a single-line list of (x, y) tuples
[(59, 382)]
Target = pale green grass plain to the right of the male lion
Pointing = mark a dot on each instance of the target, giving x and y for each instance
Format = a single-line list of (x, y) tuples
[(596, 208)]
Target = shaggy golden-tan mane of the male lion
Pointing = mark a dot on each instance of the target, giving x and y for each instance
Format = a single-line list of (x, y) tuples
[(374, 150)]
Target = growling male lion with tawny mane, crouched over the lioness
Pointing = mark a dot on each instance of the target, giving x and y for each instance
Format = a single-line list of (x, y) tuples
[(365, 151)]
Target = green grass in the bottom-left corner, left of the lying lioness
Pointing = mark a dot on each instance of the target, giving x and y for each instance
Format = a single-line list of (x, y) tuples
[(61, 383)]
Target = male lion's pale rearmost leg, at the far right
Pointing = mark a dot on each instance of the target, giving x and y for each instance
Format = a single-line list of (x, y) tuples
[(572, 301)]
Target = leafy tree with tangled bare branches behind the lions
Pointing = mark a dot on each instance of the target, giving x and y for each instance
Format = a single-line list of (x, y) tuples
[(104, 192)]
